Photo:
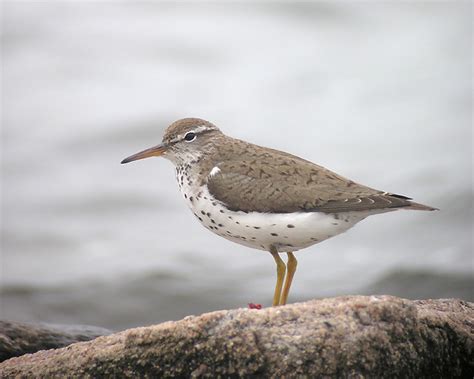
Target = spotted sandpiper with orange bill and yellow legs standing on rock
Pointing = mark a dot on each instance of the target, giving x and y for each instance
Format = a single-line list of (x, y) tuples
[(264, 198)]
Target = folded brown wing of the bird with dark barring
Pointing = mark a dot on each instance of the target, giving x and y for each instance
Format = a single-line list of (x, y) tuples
[(282, 183)]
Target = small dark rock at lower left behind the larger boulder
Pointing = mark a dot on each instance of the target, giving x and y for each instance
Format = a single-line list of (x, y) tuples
[(18, 338)]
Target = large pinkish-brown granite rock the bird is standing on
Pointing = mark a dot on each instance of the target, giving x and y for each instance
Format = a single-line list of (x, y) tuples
[(354, 336)]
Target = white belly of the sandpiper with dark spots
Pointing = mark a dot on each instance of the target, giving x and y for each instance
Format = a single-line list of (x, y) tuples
[(285, 231)]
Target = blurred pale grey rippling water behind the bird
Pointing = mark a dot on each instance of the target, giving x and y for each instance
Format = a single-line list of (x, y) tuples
[(378, 93)]
